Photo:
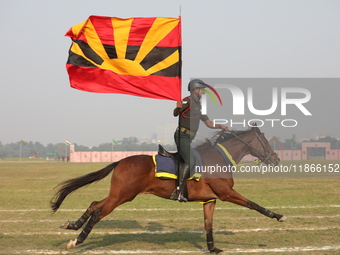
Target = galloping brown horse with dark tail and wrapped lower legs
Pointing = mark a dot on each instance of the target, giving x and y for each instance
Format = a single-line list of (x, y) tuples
[(136, 175)]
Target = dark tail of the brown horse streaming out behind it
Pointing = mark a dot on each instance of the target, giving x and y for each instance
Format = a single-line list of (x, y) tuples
[(67, 187)]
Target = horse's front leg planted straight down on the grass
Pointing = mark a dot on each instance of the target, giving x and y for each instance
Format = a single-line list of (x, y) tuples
[(208, 210)]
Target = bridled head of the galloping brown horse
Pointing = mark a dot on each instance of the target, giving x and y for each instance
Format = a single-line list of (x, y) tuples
[(260, 148)]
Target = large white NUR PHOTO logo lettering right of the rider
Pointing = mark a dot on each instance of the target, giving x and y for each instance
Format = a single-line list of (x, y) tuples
[(280, 102)]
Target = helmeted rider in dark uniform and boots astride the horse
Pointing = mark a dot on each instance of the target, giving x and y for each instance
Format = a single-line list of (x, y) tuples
[(189, 112)]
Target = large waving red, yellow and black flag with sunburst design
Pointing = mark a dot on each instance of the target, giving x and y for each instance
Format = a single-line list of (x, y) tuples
[(135, 56)]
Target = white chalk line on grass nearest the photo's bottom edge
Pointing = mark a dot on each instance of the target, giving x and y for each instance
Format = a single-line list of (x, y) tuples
[(172, 251)]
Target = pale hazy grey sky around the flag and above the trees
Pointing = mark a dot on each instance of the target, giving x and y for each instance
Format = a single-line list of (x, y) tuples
[(221, 39)]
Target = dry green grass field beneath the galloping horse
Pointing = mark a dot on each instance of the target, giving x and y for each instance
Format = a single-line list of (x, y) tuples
[(150, 225)]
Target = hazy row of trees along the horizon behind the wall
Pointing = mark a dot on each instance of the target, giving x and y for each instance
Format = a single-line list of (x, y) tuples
[(36, 149)]
